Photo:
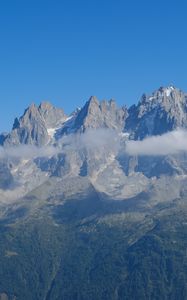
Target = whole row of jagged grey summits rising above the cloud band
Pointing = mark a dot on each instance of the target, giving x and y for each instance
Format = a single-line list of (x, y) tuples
[(164, 110)]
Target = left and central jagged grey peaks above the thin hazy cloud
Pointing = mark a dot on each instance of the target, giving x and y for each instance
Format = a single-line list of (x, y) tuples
[(38, 124)]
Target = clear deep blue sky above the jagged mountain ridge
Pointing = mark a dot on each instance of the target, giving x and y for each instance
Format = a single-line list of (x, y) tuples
[(64, 51)]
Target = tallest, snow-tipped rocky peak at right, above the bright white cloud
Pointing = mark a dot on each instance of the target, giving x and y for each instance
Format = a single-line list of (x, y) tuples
[(161, 112)]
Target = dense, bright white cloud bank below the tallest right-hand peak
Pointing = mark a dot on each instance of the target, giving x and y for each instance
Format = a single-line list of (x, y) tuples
[(169, 143)]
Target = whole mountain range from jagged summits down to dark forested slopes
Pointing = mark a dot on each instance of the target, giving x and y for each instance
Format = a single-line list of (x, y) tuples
[(93, 204)]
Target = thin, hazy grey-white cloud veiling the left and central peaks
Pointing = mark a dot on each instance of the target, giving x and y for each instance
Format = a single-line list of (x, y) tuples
[(100, 139)]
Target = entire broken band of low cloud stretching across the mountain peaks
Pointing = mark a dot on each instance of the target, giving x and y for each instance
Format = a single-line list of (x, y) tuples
[(104, 140)]
